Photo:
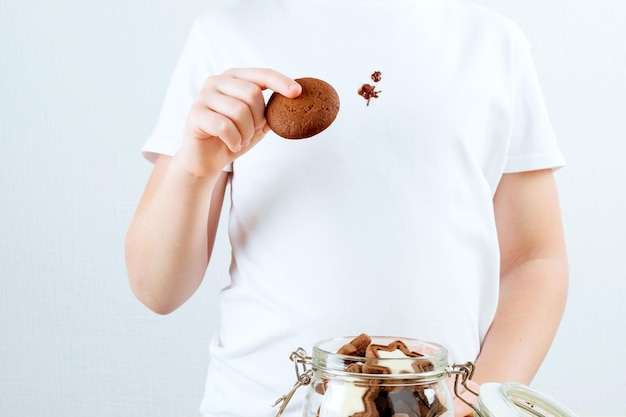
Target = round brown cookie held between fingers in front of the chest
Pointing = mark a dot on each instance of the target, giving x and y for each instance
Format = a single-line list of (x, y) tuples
[(306, 115)]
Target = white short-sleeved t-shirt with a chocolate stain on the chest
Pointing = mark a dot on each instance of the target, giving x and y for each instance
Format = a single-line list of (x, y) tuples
[(384, 222)]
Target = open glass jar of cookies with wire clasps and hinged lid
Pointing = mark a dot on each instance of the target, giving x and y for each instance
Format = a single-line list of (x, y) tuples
[(408, 381)]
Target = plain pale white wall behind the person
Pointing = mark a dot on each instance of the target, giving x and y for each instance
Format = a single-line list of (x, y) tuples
[(81, 83)]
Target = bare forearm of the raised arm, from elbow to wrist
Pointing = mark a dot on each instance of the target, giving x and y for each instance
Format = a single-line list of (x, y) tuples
[(166, 244)]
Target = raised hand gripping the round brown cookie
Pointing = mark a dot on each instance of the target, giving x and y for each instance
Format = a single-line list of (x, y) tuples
[(227, 117)]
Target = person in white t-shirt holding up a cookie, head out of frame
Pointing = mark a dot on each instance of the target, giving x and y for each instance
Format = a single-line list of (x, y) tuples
[(431, 212)]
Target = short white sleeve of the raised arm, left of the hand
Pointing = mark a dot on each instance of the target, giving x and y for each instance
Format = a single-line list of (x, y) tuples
[(191, 71)]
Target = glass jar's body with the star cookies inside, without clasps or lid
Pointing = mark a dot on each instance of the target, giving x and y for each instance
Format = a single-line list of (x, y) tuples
[(384, 376)]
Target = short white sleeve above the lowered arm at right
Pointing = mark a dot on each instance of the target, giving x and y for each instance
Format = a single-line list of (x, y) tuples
[(533, 143)]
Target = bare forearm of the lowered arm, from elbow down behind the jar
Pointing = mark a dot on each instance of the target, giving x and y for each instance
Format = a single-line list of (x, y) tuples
[(531, 304)]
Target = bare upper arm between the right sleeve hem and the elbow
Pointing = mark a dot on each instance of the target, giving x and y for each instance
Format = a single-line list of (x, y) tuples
[(528, 218)]
